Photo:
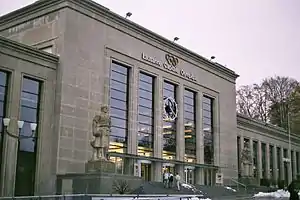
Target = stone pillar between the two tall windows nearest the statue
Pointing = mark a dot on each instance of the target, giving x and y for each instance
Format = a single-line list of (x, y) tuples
[(133, 111)]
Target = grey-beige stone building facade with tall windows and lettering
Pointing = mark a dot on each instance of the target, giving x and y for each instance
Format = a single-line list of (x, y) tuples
[(171, 109)]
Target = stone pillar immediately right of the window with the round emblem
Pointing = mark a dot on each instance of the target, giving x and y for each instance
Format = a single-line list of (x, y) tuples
[(180, 141)]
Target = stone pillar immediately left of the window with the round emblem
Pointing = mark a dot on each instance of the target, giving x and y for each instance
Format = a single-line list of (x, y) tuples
[(158, 121)]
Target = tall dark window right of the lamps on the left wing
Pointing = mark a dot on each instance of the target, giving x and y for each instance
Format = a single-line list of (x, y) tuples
[(26, 161)]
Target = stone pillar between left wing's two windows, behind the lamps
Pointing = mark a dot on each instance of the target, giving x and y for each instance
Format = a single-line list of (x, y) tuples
[(10, 150)]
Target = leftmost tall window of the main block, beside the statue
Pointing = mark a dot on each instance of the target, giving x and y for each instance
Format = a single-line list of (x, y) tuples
[(118, 108)]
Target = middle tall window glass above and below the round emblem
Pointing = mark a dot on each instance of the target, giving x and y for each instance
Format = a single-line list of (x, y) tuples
[(169, 127)]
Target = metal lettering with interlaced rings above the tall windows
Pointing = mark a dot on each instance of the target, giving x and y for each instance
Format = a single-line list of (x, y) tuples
[(170, 64)]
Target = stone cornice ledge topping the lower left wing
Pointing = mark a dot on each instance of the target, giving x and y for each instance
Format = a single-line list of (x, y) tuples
[(28, 50)]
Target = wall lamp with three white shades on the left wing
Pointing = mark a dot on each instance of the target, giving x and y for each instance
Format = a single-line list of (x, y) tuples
[(33, 126)]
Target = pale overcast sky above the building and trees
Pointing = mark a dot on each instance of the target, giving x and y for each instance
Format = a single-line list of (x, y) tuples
[(255, 38)]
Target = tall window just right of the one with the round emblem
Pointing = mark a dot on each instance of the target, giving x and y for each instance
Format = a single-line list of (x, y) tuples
[(190, 126)]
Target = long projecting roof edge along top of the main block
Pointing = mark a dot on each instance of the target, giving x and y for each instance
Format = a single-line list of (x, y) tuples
[(101, 10)]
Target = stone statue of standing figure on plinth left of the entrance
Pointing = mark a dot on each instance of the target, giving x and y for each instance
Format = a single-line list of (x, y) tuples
[(101, 132)]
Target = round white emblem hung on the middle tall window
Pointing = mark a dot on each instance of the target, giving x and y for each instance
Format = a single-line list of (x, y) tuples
[(170, 109)]
